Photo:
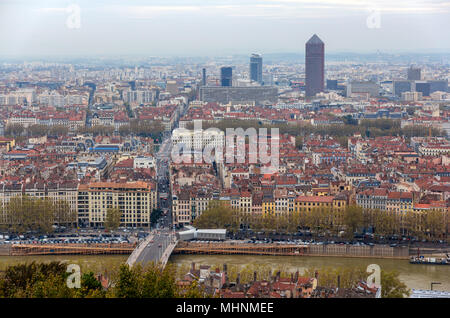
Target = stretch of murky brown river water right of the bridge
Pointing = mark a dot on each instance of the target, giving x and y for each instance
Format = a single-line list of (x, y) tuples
[(414, 276)]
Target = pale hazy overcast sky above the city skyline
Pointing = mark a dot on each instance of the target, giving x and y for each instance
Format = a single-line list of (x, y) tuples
[(220, 27)]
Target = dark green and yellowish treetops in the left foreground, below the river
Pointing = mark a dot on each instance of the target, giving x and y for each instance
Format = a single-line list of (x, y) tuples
[(49, 280)]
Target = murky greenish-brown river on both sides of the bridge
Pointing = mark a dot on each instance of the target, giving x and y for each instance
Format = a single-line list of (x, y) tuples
[(414, 276)]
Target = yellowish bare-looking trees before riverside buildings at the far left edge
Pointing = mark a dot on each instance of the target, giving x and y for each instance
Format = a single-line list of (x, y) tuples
[(25, 213)]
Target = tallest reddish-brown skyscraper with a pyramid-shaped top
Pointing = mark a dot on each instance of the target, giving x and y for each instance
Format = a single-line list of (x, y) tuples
[(314, 66)]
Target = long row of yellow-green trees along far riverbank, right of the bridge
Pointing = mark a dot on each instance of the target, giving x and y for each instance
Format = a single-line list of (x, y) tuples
[(328, 222)]
